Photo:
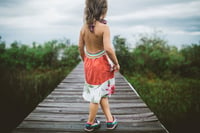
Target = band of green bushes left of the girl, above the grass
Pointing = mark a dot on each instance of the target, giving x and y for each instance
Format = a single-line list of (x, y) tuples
[(22, 57)]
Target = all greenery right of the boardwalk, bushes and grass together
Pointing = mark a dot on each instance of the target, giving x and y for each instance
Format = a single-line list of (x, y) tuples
[(166, 78)]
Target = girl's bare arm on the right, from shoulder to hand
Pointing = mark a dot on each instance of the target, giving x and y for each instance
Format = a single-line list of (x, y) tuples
[(108, 48)]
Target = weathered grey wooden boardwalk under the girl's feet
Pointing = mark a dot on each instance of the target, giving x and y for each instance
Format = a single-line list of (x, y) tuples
[(64, 110)]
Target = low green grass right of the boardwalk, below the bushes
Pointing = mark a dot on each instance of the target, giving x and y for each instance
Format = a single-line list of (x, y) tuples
[(174, 100)]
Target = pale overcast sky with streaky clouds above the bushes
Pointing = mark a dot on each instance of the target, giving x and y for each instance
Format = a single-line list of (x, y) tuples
[(42, 20)]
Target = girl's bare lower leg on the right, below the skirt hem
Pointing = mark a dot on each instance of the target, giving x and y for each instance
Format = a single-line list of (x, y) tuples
[(106, 108)]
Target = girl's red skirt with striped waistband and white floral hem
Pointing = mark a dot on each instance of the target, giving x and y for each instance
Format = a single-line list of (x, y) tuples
[(99, 77)]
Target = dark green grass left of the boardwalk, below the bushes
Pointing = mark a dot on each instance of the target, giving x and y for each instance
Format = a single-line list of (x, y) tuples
[(22, 91)]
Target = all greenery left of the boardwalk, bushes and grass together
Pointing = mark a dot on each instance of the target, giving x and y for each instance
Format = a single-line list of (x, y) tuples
[(28, 74)]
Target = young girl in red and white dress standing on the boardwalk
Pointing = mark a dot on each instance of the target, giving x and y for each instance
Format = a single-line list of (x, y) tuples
[(100, 63)]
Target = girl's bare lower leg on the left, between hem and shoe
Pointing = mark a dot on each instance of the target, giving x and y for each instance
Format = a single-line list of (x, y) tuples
[(93, 111)]
